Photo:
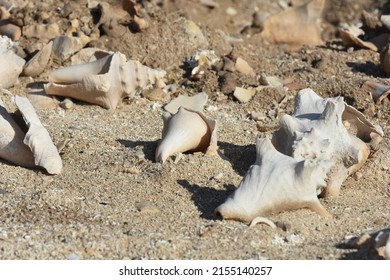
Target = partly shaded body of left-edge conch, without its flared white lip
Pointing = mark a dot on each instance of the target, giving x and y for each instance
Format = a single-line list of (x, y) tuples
[(12, 147)]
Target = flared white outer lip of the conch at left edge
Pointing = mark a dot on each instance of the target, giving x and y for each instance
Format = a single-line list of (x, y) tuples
[(38, 139)]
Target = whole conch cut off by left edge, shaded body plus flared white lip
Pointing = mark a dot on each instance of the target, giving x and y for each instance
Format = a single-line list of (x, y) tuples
[(35, 148)]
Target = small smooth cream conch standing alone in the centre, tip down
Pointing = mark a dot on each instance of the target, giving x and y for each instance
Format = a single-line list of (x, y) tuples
[(187, 131)]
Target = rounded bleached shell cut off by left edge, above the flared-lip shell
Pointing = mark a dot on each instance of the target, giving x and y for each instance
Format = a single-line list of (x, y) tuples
[(11, 67)]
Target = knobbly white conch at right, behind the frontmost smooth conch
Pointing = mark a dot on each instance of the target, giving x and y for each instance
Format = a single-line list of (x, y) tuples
[(310, 134)]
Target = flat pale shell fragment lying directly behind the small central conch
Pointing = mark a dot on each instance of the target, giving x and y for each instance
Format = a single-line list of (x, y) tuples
[(194, 103)]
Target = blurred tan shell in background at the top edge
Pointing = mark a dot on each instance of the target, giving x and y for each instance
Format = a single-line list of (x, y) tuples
[(296, 26)]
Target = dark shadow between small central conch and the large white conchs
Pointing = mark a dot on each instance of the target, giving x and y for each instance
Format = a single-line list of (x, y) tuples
[(240, 157)]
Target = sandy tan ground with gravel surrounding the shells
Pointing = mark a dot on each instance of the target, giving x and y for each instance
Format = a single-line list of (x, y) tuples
[(113, 201)]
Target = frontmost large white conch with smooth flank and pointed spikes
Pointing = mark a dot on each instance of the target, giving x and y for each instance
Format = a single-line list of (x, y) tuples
[(276, 182)]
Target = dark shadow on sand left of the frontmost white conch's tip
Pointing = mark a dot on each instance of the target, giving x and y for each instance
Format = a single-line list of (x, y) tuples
[(206, 199)]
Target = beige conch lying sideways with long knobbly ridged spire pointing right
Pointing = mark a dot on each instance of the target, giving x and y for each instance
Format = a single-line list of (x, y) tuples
[(104, 82)]
